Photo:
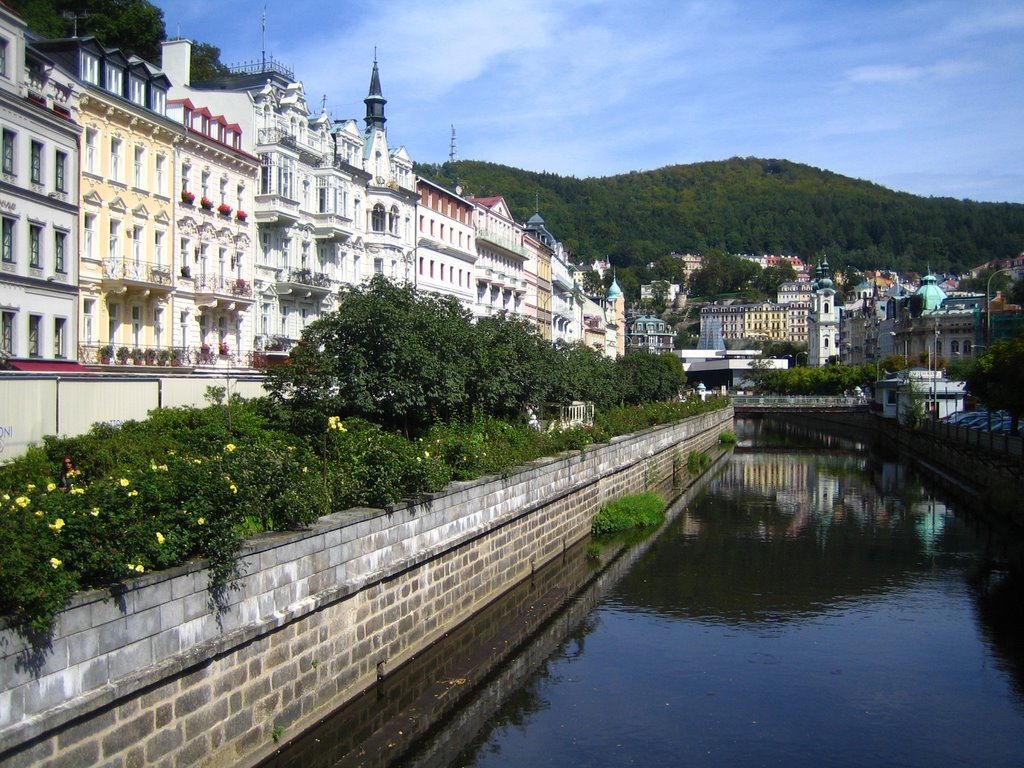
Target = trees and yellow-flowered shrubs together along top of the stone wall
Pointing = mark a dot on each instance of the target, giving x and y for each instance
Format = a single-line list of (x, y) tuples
[(351, 422)]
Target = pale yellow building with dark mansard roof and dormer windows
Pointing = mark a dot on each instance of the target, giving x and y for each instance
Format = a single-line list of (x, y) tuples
[(126, 278)]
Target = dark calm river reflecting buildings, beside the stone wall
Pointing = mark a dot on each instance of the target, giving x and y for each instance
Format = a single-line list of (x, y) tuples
[(815, 605)]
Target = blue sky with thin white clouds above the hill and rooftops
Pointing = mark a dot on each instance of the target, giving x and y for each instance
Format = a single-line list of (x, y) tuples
[(926, 97)]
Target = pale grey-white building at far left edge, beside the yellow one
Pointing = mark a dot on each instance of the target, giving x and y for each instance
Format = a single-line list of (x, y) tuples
[(39, 210)]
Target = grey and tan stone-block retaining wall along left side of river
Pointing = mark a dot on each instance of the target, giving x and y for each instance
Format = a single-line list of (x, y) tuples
[(152, 676)]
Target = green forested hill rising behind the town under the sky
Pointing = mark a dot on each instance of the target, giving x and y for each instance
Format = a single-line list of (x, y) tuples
[(747, 205)]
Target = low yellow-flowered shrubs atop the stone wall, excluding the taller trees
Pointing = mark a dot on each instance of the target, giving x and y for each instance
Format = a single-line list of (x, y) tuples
[(194, 483)]
